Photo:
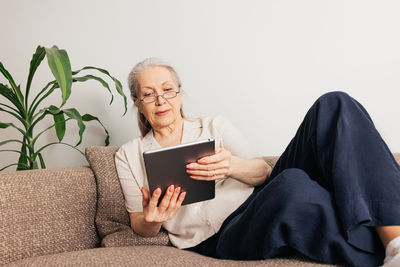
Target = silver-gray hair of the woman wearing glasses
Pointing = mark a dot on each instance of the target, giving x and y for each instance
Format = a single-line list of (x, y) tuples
[(134, 87)]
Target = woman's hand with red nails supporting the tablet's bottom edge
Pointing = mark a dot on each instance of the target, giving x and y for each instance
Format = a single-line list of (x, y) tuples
[(168, 207)]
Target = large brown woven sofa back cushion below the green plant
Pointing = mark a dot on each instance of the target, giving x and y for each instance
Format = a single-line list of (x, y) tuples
[(46, 211)]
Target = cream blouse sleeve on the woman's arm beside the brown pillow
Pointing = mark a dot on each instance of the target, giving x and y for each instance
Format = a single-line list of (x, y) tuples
[(130, 186)]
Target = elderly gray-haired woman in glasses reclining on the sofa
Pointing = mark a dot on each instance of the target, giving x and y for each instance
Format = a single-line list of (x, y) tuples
[(334, 194)]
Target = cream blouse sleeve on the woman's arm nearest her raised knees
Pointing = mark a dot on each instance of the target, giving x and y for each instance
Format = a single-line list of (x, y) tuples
[(232, 140)]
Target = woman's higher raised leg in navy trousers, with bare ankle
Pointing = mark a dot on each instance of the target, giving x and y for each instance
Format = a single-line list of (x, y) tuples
[(339, 147)]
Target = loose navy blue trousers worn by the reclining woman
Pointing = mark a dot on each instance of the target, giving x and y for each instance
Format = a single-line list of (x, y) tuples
[(335, 181)]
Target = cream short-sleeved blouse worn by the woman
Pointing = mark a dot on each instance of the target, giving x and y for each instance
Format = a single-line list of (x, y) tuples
[(193, 223)]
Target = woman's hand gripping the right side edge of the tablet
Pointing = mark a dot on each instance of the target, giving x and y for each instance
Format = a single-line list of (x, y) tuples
[(214, 167)]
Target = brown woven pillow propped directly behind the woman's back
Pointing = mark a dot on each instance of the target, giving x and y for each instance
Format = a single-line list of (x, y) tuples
[(112, 218)]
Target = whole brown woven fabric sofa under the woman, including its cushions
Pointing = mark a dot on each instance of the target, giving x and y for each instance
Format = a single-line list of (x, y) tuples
[(76, 216)]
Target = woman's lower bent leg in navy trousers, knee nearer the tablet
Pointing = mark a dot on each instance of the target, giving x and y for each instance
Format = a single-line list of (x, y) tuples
[(292, 213)]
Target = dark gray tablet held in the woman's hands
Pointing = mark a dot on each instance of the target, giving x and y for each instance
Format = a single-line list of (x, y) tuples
[(167, 166)]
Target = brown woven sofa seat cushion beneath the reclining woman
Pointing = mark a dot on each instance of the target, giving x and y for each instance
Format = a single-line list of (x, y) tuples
[(149, 256)]
